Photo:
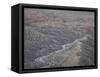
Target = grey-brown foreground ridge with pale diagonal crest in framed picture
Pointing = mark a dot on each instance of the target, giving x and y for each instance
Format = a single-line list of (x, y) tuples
[(70, 55)]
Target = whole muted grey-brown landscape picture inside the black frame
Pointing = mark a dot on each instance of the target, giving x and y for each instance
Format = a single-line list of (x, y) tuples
[(58, 38)]
